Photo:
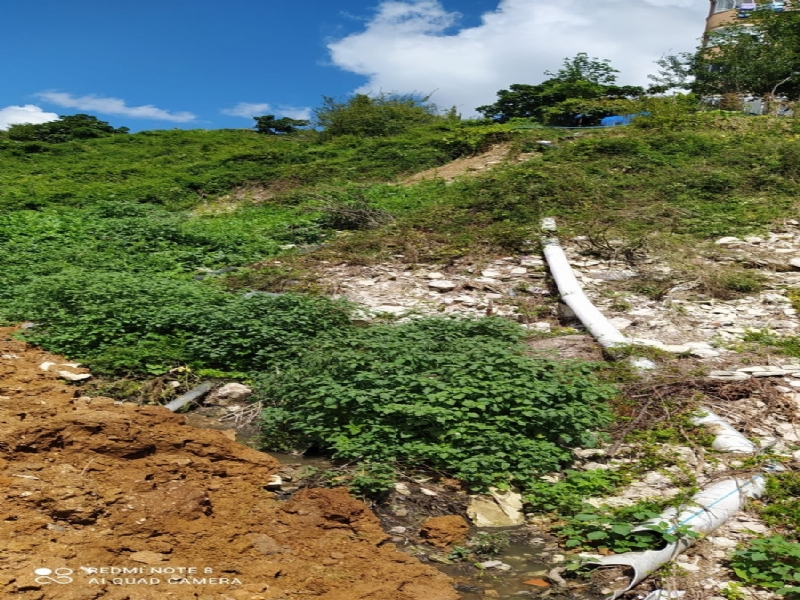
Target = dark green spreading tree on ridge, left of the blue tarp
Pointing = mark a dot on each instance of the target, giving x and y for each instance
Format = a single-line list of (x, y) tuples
[(580, 78)]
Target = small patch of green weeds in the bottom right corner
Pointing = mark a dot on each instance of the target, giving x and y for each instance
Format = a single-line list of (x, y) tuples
[(772, 563)]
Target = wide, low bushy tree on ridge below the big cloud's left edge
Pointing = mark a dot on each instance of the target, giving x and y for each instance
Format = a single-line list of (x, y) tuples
[(371, 116)]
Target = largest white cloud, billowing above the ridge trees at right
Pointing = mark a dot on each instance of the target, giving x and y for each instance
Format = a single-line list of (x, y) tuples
[(408, 45)]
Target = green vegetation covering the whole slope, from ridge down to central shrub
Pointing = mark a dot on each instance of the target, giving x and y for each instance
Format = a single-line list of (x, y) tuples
[(144, 253)]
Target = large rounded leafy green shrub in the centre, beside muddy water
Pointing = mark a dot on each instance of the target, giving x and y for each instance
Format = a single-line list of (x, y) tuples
[(459, 396)]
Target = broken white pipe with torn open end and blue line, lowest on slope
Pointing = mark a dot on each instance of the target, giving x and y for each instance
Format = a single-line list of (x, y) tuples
[(709, 509)]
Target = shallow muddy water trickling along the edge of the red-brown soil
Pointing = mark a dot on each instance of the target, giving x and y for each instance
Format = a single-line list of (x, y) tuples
[(518, 568)]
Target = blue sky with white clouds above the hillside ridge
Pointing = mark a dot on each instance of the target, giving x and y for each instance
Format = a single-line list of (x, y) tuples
[(152, 64)]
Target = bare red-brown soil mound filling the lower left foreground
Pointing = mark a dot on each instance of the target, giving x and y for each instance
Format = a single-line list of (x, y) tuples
[(90, 486)]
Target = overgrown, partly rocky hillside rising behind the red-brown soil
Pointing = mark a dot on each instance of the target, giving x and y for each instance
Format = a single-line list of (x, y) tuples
[(162, 259)]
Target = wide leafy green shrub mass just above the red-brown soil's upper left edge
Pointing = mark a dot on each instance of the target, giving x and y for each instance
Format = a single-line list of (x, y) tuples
[(122, 322)]
